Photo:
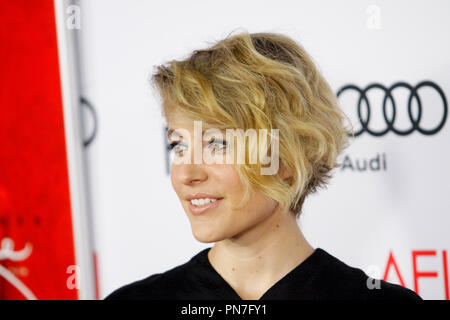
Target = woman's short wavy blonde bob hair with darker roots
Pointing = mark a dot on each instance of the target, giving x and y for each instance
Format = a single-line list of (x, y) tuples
[(262, 80)]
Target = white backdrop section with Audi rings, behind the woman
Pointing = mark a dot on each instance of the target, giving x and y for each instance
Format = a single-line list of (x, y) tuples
[(403, 208)]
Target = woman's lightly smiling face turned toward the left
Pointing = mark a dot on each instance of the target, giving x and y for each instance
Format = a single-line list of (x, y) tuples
[(220, 181)]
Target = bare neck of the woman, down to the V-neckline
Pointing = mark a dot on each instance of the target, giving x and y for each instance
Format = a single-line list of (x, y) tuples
[(256, 259)]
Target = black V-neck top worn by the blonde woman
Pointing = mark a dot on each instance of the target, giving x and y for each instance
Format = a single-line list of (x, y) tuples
[(320, 276)]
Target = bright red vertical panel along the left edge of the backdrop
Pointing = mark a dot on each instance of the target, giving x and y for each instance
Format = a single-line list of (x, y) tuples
[(36, 242)]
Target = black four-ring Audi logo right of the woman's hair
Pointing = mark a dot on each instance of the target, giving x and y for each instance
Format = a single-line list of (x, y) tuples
[(390, 123)]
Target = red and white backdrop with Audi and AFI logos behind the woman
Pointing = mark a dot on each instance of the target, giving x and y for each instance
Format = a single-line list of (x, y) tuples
[(84, 172)]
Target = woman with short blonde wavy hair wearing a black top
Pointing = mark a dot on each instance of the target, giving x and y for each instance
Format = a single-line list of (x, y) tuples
[(253, 81)]
